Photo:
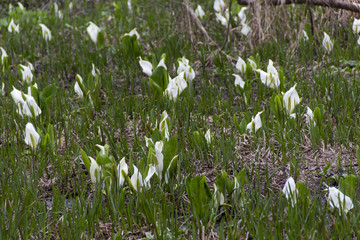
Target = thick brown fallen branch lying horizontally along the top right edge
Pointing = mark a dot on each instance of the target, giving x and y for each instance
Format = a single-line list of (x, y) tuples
[(355, 7)]
